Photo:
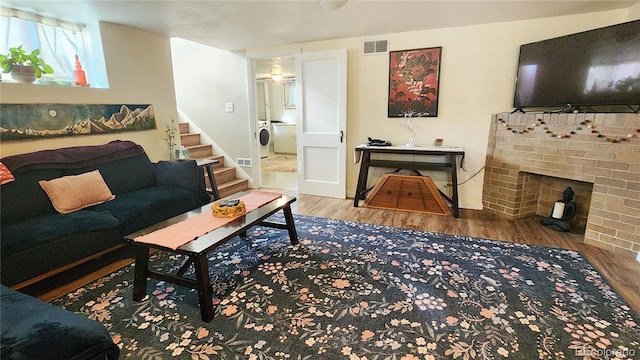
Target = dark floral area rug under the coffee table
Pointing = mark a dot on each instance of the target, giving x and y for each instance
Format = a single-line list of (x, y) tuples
[(361, 291)]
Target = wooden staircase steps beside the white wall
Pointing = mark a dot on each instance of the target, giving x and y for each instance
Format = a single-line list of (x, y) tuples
[(225, 176)]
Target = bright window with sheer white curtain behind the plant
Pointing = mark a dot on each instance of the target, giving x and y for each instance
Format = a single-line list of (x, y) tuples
[(59, 42)]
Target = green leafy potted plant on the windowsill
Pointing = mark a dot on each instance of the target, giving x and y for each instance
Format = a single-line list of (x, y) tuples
[(23, 66)]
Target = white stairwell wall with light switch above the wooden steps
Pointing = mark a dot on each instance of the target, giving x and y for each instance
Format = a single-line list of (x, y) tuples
[(206, 78)]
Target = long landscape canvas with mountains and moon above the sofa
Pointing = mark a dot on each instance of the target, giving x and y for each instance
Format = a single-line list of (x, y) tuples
[(29, 121)]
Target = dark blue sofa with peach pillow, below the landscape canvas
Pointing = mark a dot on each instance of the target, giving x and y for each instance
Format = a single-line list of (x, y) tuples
[(40, 235)]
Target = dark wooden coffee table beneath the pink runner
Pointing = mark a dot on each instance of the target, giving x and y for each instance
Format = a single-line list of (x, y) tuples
[(197, 250)]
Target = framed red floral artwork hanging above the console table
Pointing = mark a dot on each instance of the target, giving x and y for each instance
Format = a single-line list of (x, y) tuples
[(414, 77)]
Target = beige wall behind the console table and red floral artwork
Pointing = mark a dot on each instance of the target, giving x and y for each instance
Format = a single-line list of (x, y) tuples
[(477, 79)]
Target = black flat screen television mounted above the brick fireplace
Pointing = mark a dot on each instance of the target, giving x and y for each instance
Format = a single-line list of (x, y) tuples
[(591, 68)]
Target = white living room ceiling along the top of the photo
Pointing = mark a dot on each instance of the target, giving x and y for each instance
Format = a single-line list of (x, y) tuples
[(240, 24)]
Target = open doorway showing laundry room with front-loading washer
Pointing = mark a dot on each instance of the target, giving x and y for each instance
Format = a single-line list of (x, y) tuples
[(276, 122)]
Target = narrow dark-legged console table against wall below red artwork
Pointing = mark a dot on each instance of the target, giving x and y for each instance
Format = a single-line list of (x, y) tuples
[(450, 154)]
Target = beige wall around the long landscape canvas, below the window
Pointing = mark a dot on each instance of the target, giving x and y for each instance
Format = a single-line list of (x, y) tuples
[(139, 69)]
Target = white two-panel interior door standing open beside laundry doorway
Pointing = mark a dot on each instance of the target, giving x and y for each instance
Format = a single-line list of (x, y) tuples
[(321, 91)]
